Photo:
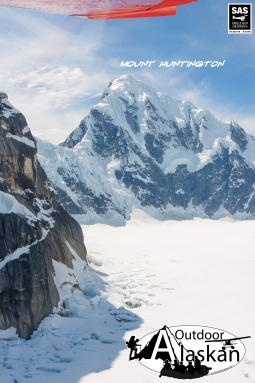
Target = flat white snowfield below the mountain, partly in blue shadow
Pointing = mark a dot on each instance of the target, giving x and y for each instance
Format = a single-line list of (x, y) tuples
[(140, 277)]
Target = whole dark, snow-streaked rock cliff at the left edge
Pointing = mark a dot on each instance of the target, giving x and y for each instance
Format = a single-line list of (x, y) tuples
[(34, 229)]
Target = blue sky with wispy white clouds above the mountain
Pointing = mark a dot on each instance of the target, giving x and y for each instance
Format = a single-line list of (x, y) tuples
[(54, 68)]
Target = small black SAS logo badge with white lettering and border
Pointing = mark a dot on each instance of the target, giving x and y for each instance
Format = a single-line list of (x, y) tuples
[(239, 18)]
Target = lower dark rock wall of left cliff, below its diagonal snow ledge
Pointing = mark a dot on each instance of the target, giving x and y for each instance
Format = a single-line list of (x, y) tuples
[(28, 292)]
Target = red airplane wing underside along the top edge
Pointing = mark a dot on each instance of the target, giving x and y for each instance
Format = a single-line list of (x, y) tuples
[(101, 9)]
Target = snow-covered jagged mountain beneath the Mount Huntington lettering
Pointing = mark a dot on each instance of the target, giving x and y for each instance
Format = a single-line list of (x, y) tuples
[(141, 148)]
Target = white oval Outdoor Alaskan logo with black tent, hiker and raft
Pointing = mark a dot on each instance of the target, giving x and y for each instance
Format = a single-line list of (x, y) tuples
[(187, 352)]
